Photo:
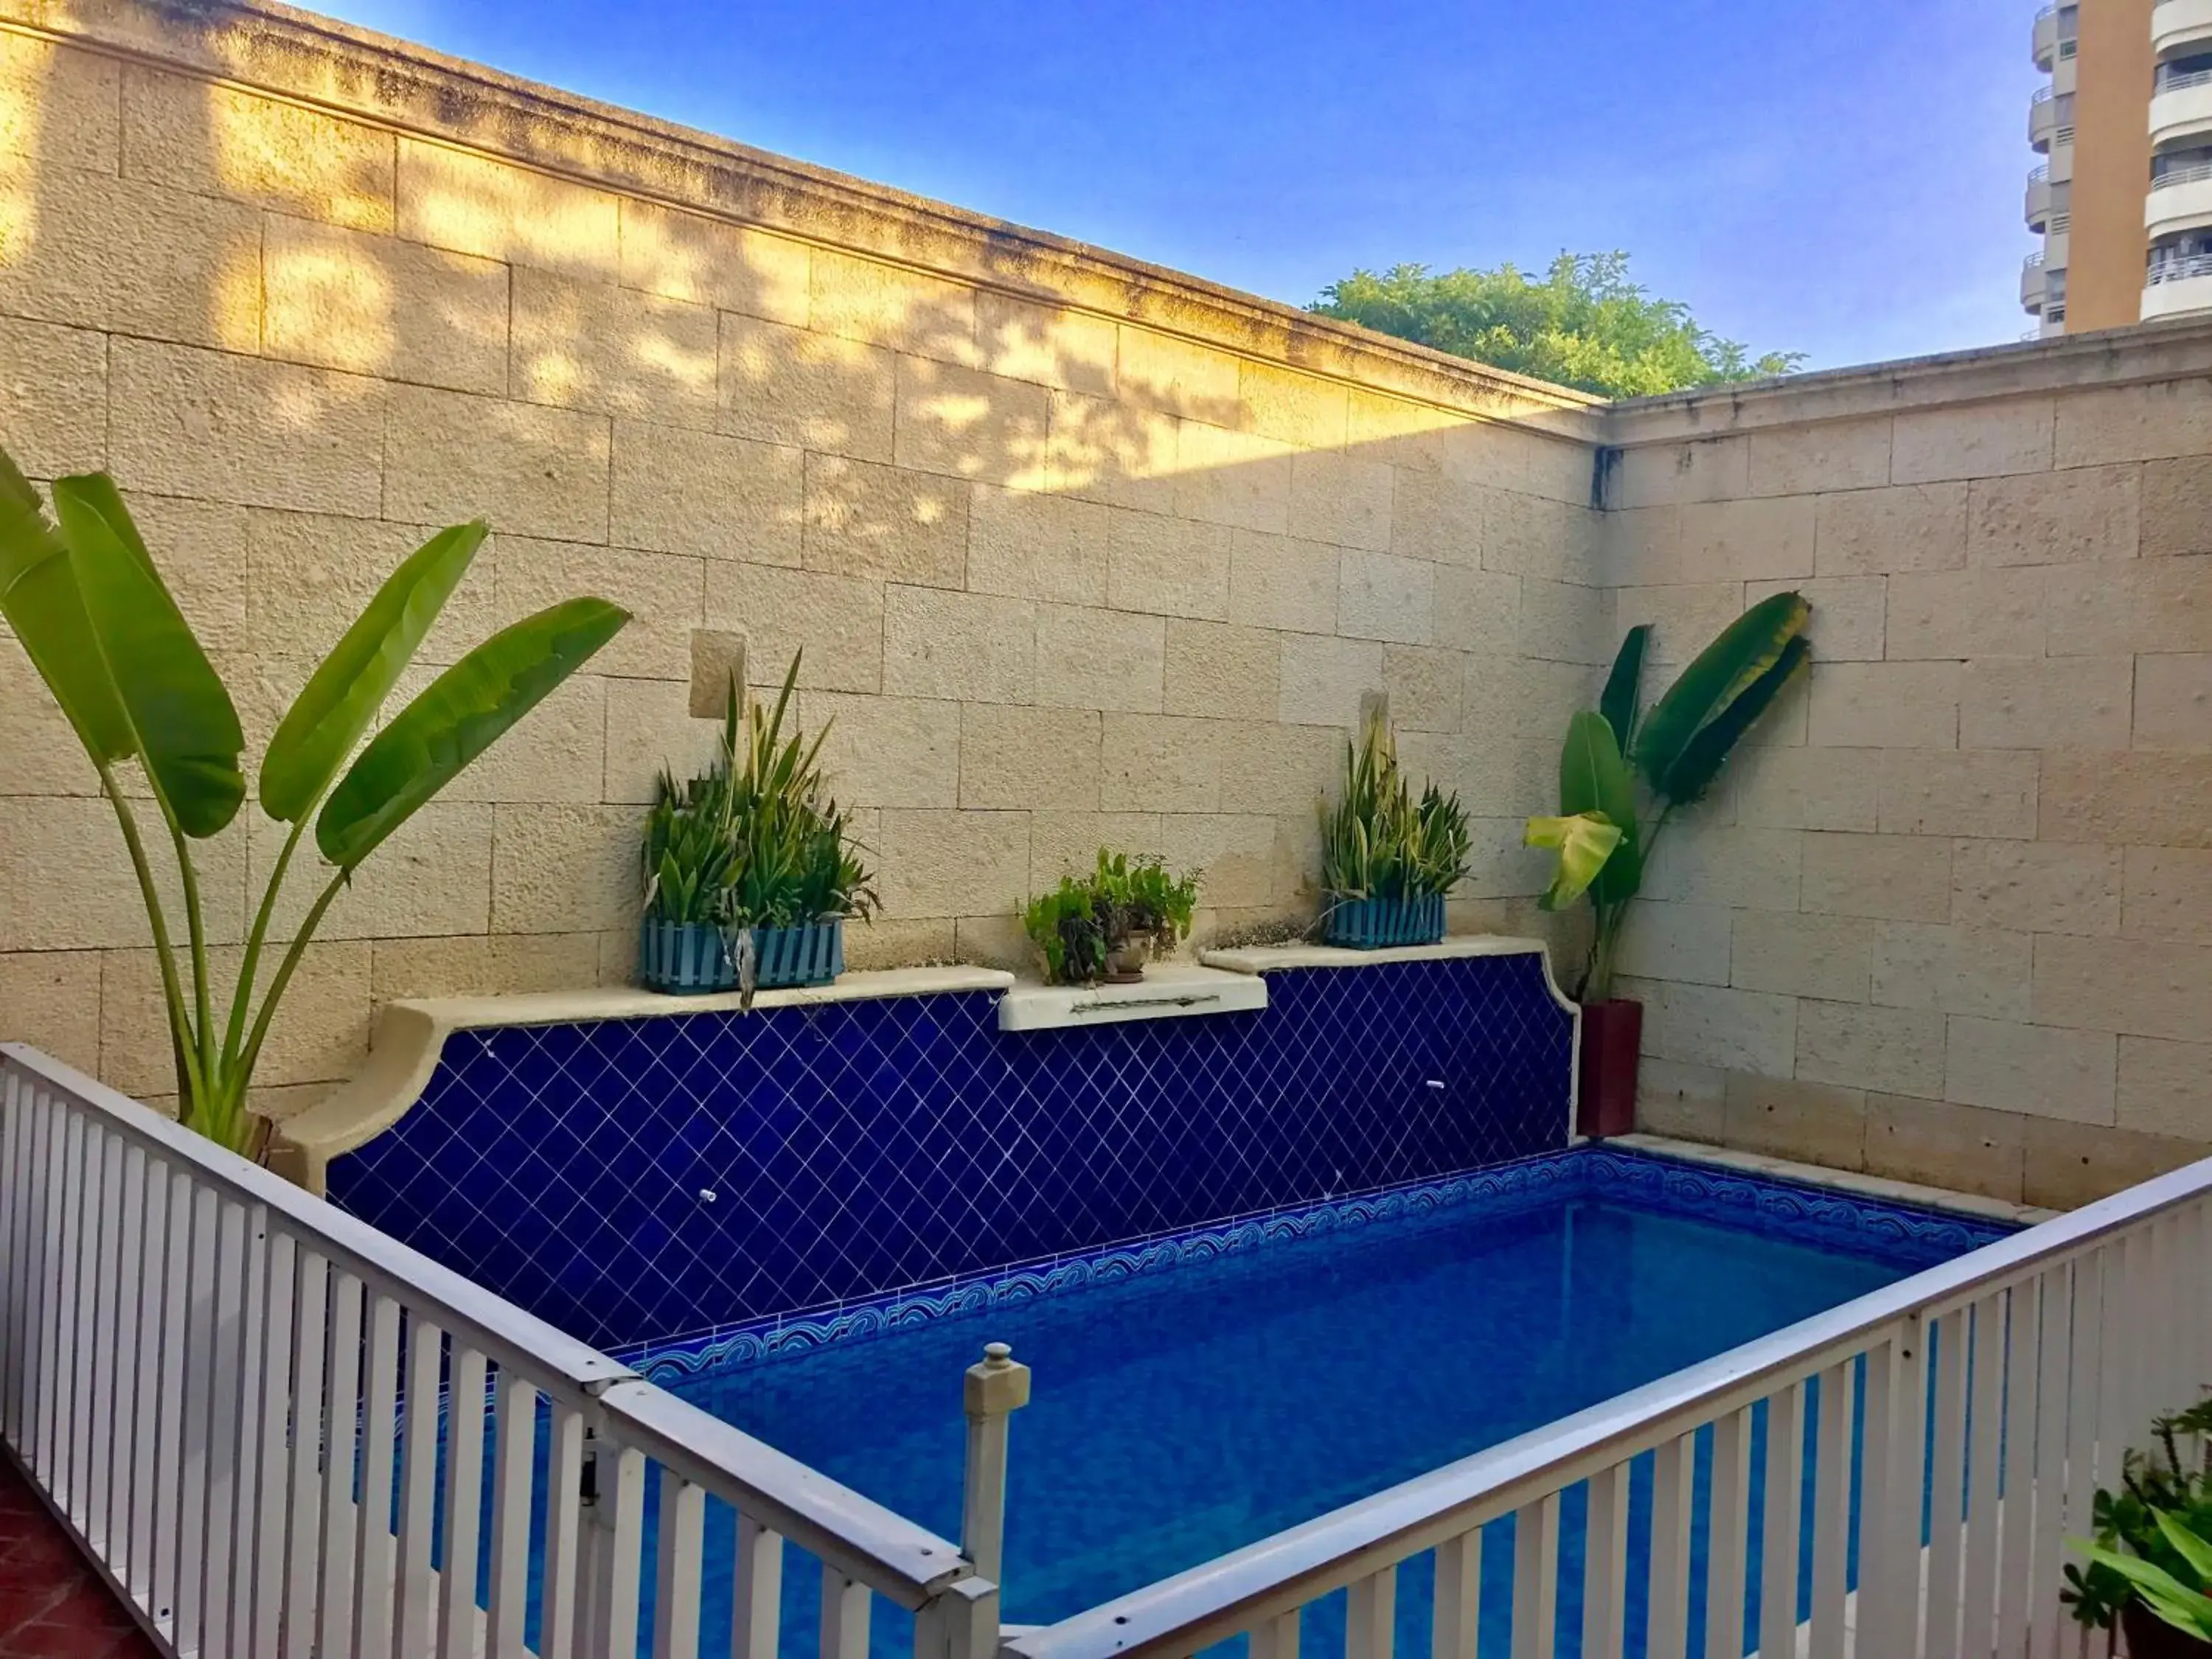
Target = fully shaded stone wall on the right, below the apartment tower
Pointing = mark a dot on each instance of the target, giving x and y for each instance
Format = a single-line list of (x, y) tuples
[(1954, 919)]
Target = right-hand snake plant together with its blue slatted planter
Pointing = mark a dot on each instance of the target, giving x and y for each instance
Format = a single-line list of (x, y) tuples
[(1386, 857)]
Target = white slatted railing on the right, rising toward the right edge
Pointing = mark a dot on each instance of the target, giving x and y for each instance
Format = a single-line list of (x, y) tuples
[(1775, 1488)]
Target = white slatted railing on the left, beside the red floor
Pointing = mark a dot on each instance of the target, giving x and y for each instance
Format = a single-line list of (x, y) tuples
[(284, 1434)]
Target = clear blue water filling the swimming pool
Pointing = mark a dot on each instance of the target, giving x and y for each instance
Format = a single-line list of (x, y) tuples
[(1185, 1415)]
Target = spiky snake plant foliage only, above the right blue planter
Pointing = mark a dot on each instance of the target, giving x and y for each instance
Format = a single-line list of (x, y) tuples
[(1381, 842)]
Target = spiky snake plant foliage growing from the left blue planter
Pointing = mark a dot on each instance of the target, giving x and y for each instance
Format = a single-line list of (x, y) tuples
[(758, 839)]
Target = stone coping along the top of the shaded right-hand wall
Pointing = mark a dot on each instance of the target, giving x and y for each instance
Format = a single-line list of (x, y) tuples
[(2074, 362)]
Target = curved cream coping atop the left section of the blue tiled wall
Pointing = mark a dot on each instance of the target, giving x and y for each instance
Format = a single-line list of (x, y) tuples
[(410, 1039)]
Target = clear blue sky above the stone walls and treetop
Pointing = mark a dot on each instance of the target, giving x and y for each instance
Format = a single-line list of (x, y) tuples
[(1839, 178)]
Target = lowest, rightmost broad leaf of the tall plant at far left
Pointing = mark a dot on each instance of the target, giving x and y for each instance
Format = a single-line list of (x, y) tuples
[(457, 718)]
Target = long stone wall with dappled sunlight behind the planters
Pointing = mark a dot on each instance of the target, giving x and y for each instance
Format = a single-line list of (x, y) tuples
[(1078, 550)]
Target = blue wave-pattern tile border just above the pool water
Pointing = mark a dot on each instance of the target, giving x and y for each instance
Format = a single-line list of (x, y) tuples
[(1901, 1235)]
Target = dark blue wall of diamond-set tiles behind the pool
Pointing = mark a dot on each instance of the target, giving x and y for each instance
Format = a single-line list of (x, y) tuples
[(866, 1147)]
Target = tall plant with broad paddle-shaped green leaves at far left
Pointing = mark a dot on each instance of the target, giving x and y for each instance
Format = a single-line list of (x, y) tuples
[(101, 627)]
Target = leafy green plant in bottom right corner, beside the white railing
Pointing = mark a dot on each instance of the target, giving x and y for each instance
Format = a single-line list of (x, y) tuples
[(2151, 1561)]
